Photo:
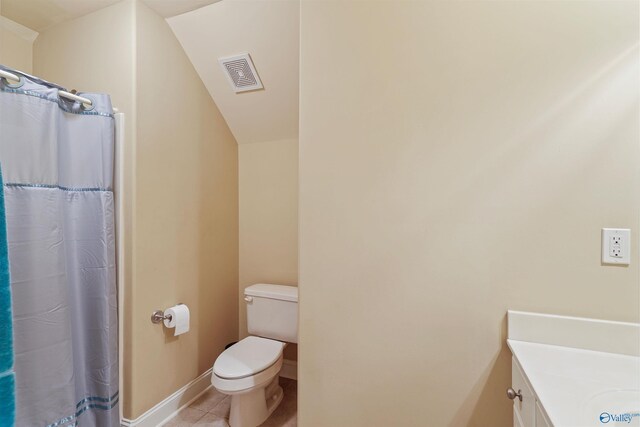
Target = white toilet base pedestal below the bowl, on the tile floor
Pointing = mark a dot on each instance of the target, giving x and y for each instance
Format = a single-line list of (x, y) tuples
[(253, 408)]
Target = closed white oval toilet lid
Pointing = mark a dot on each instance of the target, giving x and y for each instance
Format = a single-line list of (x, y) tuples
[(247, 357)]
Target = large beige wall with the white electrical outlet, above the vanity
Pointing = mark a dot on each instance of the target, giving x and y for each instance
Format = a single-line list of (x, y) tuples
[(464, 167)]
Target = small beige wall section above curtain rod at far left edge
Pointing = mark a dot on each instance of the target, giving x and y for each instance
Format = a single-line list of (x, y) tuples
[(16, 45)]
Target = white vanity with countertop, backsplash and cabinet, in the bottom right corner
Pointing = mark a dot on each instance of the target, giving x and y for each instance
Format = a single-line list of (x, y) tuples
[(579, 367)]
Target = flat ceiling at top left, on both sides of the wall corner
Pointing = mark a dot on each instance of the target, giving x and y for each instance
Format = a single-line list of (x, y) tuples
[(41, 14)]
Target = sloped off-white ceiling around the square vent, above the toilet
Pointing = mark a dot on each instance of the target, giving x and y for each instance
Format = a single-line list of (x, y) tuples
[(269, 32)]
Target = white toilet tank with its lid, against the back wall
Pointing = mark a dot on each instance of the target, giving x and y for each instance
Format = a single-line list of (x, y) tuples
[(272, 311)]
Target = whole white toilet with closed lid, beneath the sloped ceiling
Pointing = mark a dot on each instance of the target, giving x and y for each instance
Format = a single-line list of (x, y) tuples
[(248, 371)]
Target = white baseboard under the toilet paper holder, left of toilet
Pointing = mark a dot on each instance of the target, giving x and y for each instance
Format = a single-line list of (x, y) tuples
[(169, 407)]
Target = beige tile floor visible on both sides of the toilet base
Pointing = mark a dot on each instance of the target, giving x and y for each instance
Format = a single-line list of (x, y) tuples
[(212, 410)]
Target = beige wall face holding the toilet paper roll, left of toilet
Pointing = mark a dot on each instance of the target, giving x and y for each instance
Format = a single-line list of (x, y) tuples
[(186, 217)]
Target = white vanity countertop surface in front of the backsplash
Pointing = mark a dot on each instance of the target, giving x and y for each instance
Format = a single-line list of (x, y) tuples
[(575, 386)]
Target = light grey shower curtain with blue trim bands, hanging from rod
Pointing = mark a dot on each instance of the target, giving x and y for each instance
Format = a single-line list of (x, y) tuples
[(57, 163)]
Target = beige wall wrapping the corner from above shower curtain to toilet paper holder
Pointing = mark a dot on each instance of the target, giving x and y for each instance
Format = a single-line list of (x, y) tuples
[(181, 238)]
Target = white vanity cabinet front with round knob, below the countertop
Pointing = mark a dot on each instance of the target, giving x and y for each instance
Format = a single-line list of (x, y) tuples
[(527, 411)]
